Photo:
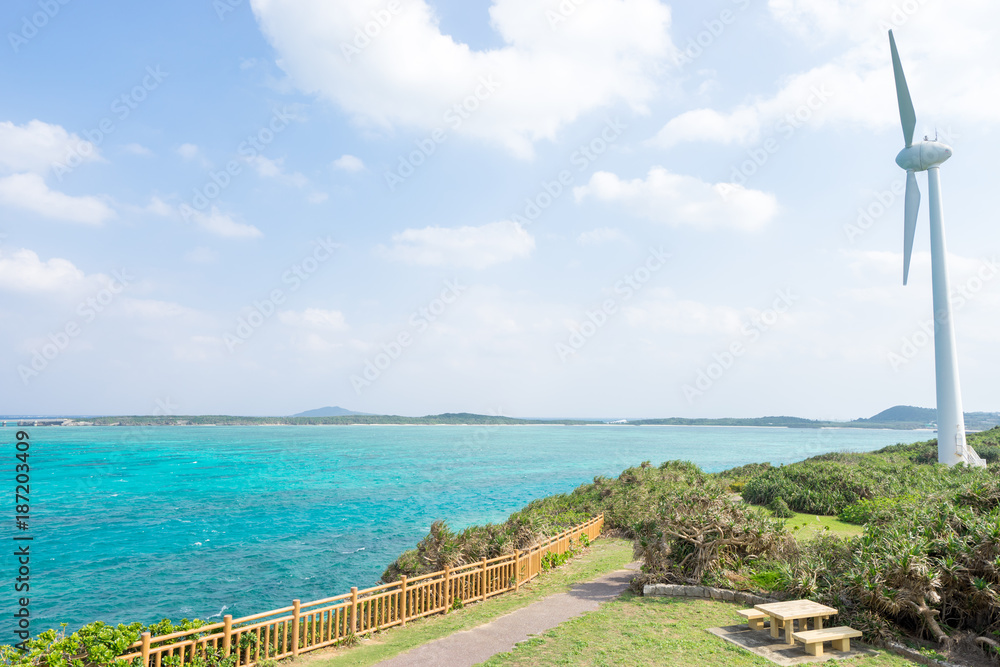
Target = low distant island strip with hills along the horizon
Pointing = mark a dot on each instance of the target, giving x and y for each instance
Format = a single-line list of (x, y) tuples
[(902, 417)]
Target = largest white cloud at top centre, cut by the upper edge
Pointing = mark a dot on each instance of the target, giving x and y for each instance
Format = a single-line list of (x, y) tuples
[(545, 75)]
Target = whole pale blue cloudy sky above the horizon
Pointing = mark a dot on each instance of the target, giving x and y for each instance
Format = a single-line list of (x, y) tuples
[(586, 208)]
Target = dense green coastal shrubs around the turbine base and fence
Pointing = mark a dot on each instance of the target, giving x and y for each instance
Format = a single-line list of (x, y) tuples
[(902, 546)]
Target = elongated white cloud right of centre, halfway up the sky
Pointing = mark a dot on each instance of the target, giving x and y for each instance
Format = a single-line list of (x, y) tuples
[(677, 200)]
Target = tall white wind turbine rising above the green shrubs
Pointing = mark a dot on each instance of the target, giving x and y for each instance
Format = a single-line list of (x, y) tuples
[(928, 156)]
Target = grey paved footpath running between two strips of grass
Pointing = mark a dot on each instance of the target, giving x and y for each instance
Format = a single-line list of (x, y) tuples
[(471, 647)]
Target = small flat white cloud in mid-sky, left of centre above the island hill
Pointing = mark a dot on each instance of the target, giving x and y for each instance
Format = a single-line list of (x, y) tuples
[(472, 247)]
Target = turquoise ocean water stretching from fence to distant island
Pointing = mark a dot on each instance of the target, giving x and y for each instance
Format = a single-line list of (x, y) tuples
[(143, 523)]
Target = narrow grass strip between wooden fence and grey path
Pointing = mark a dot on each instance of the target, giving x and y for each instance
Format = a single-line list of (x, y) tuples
[(605, 555)]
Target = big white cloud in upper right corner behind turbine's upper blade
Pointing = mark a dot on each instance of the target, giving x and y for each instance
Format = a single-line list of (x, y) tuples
[(856, 87)]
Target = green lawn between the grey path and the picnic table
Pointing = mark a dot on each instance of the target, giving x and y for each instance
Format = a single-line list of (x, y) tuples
[(634, 630)]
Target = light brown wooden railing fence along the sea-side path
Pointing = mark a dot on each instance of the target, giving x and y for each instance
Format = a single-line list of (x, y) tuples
[(300, 628)]
